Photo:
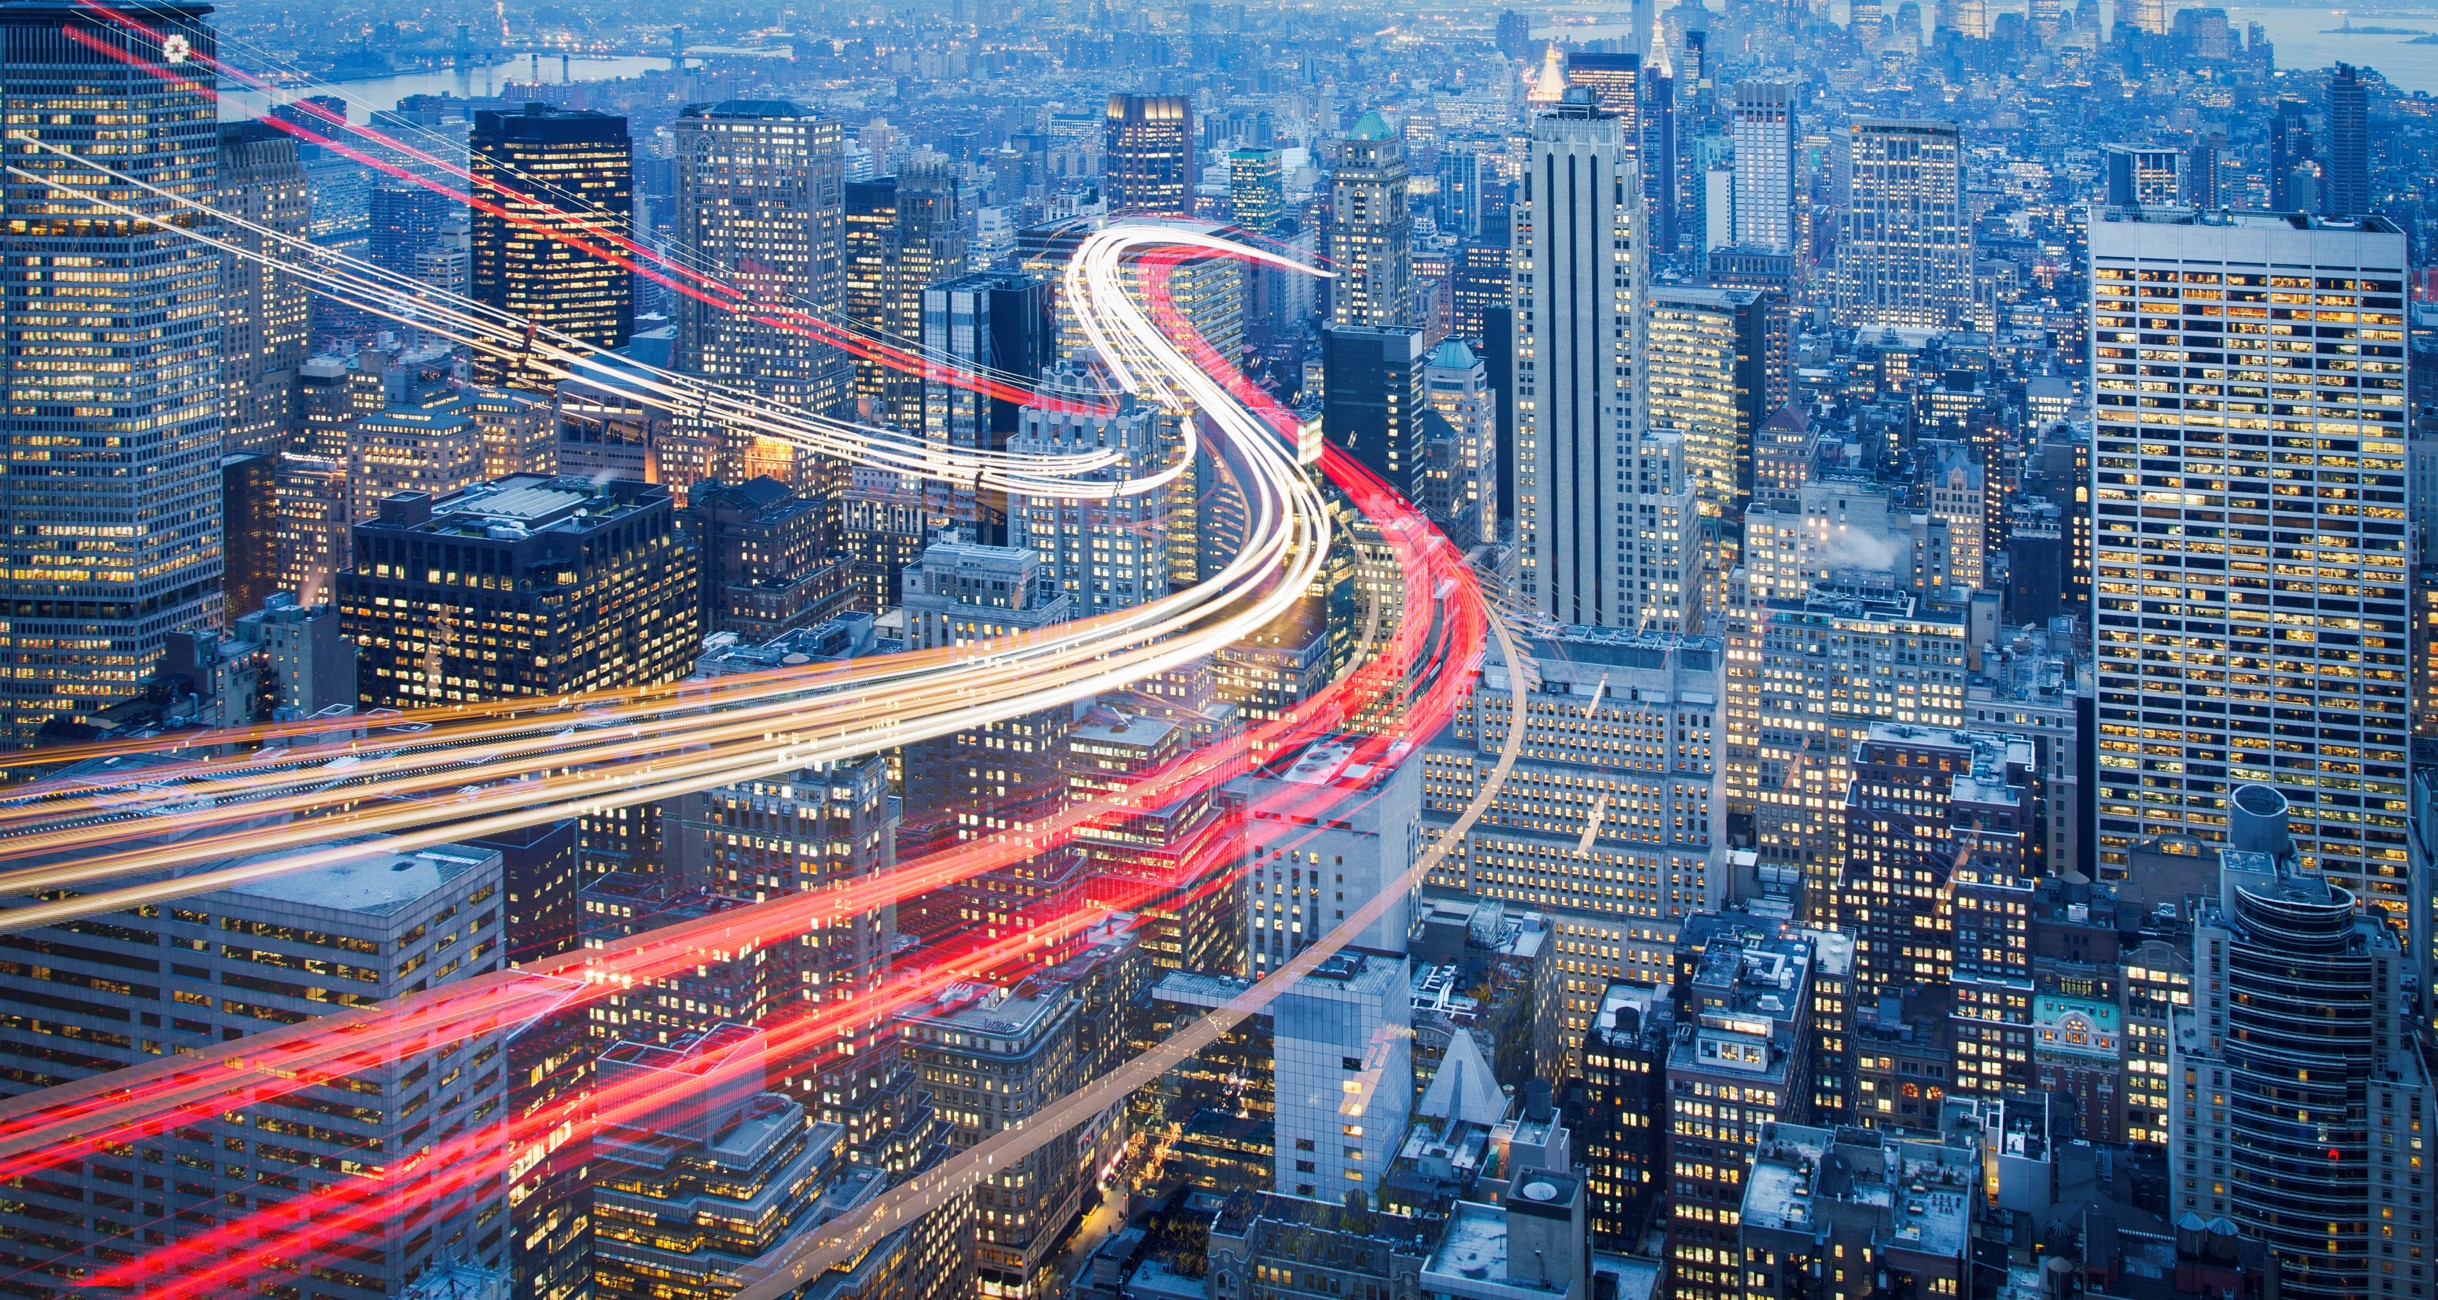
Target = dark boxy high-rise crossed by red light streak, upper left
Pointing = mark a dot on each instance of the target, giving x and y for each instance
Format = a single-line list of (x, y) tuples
[(569, 179)]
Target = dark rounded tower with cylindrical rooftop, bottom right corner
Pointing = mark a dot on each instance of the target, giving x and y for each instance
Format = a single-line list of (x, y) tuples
[(2295, 1087)]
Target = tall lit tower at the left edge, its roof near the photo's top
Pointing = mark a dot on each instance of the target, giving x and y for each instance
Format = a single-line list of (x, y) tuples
[(113, 489)]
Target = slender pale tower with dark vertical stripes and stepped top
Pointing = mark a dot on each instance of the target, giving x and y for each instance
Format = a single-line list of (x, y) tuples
[(1581, 277)]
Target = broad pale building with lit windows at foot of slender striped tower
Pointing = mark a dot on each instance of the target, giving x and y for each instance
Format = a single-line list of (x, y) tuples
[(1613, 818)]
